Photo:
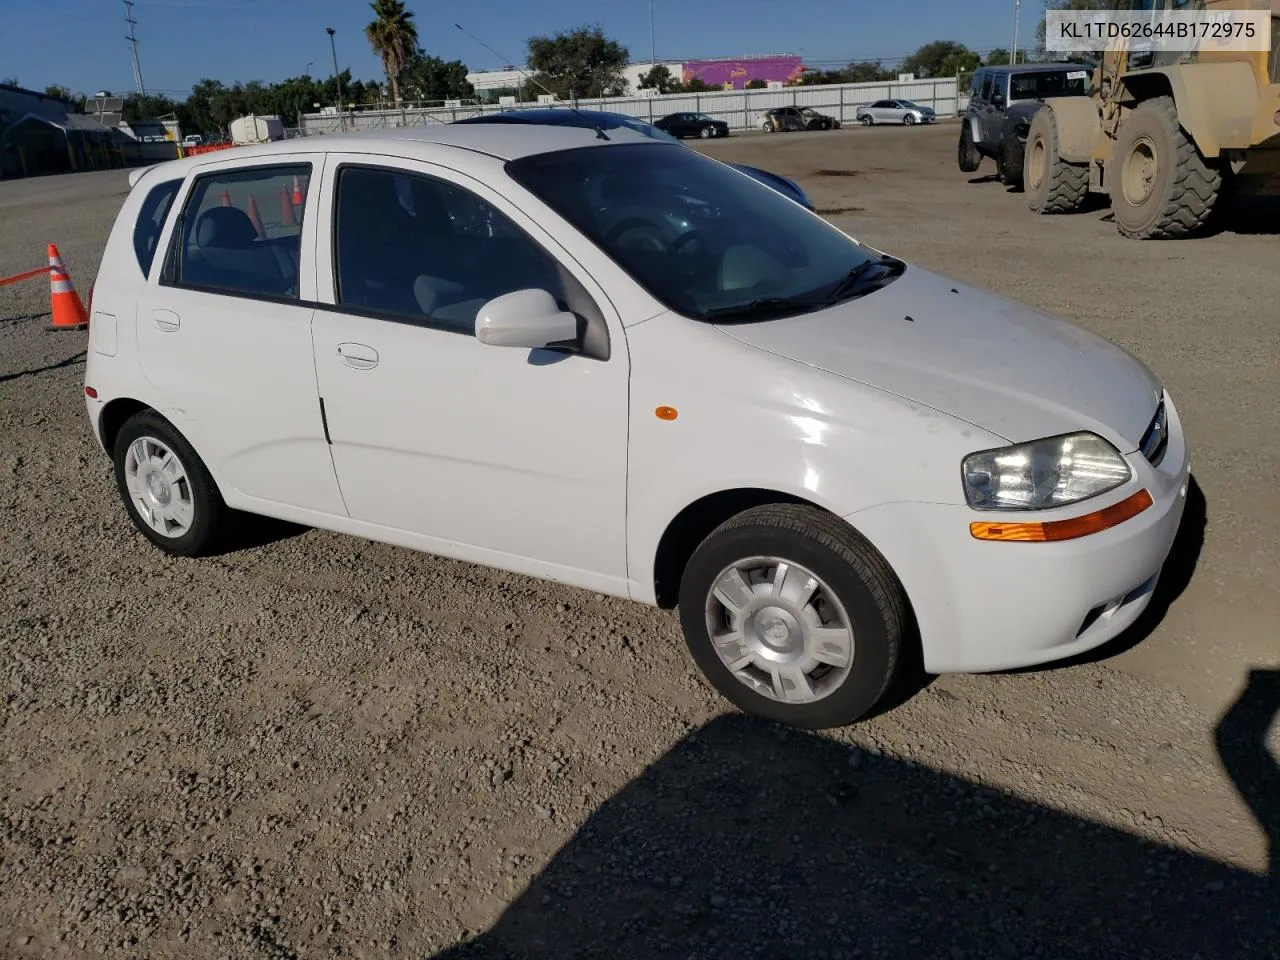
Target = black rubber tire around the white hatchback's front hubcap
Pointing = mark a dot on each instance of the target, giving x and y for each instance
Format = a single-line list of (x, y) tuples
[(857, 575)]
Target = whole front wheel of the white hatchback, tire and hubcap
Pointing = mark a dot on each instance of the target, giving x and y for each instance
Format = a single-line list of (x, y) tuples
[(793, 616)]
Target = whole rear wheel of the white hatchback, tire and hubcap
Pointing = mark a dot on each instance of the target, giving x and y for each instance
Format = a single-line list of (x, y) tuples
[(167, 488)]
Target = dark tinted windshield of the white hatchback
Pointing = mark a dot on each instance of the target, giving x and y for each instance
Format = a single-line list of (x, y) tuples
[(705, 240)]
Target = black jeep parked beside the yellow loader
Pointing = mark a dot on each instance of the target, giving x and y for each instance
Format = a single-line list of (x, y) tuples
[(1002, 104)]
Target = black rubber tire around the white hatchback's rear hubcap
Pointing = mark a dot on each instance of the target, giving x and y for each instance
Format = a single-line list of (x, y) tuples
[(211, 520)]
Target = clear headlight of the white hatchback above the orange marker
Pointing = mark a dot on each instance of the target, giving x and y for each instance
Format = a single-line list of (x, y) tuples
[(1044, 474)]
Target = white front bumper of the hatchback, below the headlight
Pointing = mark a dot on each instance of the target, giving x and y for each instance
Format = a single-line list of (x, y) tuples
[(986, 606)]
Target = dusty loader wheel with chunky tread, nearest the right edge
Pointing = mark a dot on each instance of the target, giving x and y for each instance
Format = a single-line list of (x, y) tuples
[(1162, 188)]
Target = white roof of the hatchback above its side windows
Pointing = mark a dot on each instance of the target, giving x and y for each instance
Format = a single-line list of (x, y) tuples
[(502, 141)]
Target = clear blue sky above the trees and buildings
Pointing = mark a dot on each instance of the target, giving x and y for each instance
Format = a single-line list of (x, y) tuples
[(81, 43)]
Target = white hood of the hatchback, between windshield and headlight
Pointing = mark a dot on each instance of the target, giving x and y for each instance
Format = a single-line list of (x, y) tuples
[(1004, 367)]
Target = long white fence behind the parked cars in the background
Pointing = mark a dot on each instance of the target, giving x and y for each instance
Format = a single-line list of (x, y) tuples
[(740, 109)]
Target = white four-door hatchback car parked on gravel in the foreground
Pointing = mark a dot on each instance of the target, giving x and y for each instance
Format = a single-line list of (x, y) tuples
[(606, 360)]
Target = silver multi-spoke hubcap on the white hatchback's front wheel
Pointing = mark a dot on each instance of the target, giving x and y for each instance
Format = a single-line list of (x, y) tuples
[(780, 630)]
